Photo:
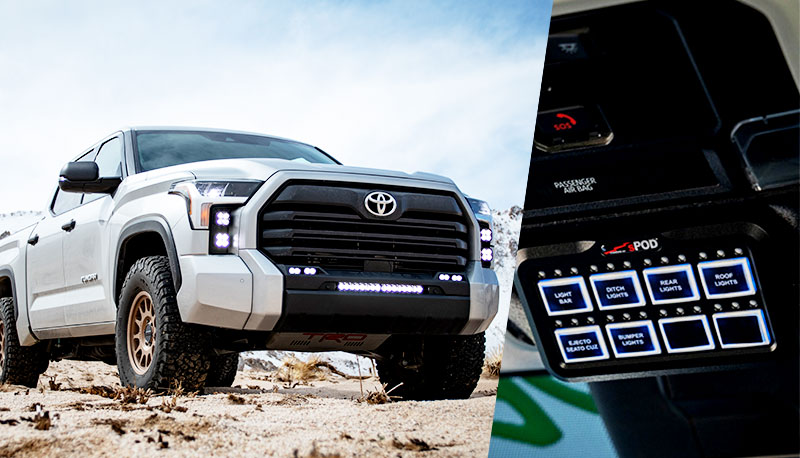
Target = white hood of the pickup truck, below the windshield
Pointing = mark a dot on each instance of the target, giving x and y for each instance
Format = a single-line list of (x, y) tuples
[(262, 169)]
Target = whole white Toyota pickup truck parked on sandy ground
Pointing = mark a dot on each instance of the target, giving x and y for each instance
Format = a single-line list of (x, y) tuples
[(166, 251)]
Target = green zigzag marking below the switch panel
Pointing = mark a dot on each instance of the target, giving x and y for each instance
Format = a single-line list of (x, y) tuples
[(537, 427)]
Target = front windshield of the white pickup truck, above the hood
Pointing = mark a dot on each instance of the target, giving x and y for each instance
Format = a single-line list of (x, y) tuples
[(159, 148)]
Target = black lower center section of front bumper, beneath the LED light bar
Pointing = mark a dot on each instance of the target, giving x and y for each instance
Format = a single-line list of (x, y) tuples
[(368, 313)]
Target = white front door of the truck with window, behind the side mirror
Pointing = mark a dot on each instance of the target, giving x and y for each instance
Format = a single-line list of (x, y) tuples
[(87, 254)]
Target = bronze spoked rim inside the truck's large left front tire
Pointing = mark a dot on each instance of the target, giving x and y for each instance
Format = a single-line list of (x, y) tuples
[(141, 333)]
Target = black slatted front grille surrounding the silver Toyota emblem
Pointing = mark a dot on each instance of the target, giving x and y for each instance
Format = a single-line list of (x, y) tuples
[(328, 226)]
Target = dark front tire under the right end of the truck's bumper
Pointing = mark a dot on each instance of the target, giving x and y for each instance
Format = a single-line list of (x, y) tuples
[(433, 367)]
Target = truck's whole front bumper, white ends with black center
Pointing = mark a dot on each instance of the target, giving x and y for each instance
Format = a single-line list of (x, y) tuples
[(249, 292)]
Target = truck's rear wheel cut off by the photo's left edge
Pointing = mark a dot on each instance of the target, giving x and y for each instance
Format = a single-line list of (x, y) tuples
[(18, 365)]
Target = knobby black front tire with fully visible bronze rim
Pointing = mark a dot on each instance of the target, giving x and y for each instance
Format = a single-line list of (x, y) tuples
[(154, 348)]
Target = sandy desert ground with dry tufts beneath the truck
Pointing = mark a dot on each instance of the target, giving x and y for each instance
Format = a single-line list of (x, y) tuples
[(80, 409)]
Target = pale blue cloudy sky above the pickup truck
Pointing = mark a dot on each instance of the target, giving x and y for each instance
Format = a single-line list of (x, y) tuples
[(442, 87)]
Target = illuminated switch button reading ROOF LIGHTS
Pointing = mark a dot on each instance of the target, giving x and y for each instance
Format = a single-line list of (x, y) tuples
[(727, 278)]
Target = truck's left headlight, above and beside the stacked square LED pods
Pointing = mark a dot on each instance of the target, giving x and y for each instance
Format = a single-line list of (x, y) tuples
[(201, 195)]
